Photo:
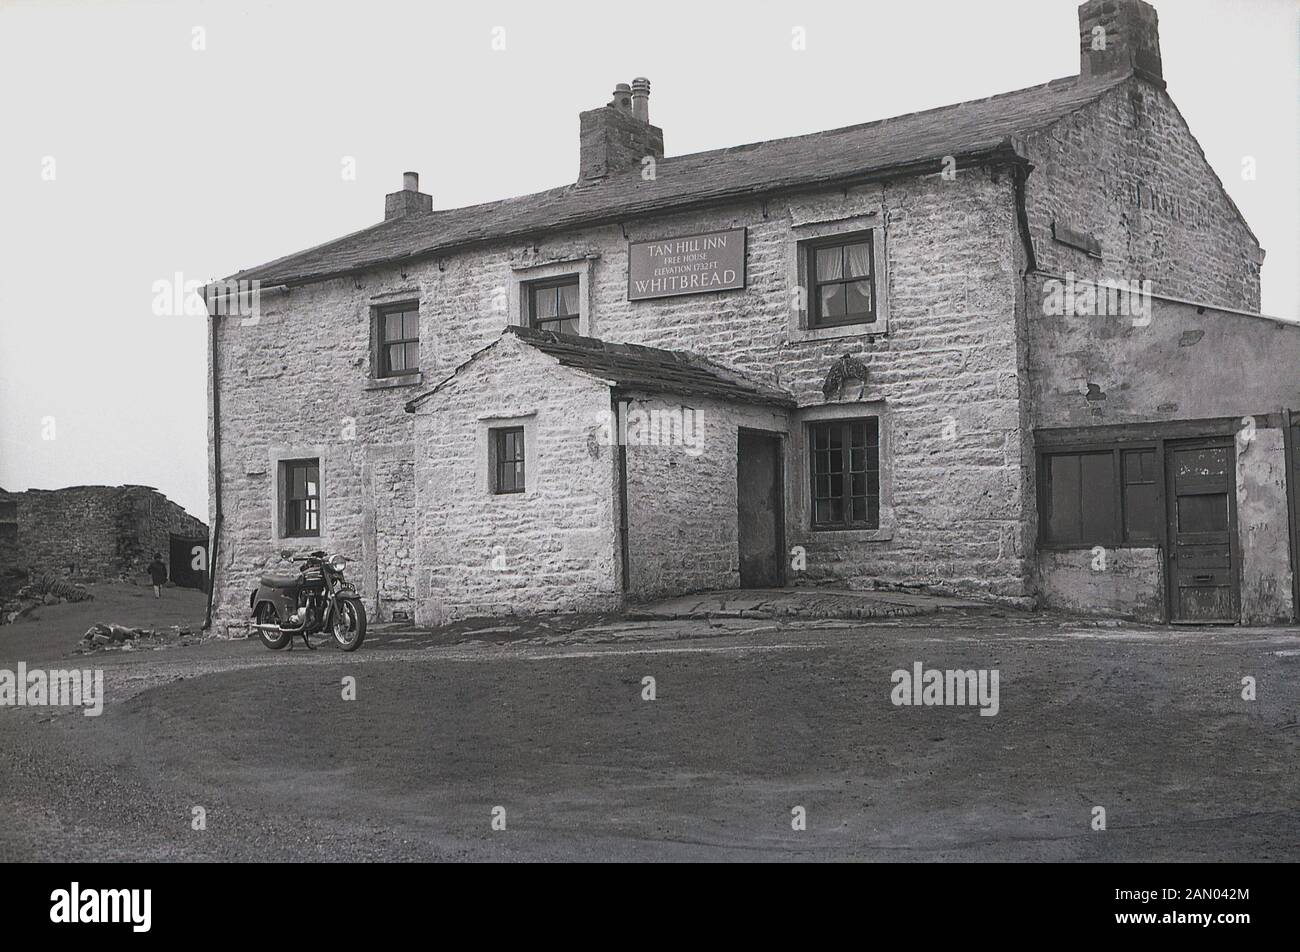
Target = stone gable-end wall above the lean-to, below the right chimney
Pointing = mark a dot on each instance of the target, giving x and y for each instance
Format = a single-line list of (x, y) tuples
[(1128, 172)]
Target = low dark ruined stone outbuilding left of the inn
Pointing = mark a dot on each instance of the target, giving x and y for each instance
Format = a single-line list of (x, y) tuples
[(101, 533)]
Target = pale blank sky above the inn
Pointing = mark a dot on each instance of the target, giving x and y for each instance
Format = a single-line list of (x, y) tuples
[(170, 159)]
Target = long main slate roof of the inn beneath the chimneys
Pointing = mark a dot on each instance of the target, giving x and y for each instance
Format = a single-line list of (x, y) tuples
[(861, 153)]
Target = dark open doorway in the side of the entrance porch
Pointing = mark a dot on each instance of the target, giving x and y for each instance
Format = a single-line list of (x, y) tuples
[(760, 514)]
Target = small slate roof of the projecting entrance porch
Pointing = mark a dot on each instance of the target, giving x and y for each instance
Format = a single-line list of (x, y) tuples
[(636, 369)]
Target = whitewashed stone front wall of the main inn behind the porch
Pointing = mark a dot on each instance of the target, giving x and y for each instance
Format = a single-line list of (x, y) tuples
[(944, 375)]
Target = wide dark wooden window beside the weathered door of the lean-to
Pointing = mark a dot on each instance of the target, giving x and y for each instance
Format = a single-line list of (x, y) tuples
[(1115, 538)]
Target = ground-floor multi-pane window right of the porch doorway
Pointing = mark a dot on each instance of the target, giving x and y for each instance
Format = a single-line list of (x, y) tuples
[(846, 474)]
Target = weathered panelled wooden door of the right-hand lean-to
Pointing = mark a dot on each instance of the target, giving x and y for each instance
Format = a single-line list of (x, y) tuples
[(1201, 482)]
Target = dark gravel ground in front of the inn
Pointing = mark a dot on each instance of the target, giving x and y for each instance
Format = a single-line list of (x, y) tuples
[(751, 720)]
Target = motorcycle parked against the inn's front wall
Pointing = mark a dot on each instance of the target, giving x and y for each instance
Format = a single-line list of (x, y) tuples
[(314, 600)]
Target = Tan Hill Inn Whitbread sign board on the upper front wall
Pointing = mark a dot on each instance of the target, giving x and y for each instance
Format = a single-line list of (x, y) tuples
[(690, 265)]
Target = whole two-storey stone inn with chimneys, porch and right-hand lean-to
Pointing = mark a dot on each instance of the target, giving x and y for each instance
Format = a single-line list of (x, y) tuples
[(1009, 348)]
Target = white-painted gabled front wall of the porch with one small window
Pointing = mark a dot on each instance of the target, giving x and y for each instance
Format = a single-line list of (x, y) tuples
[(554, 547)]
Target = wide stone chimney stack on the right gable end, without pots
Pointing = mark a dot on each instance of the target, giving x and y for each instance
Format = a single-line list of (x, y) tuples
[(1119, 37)]
